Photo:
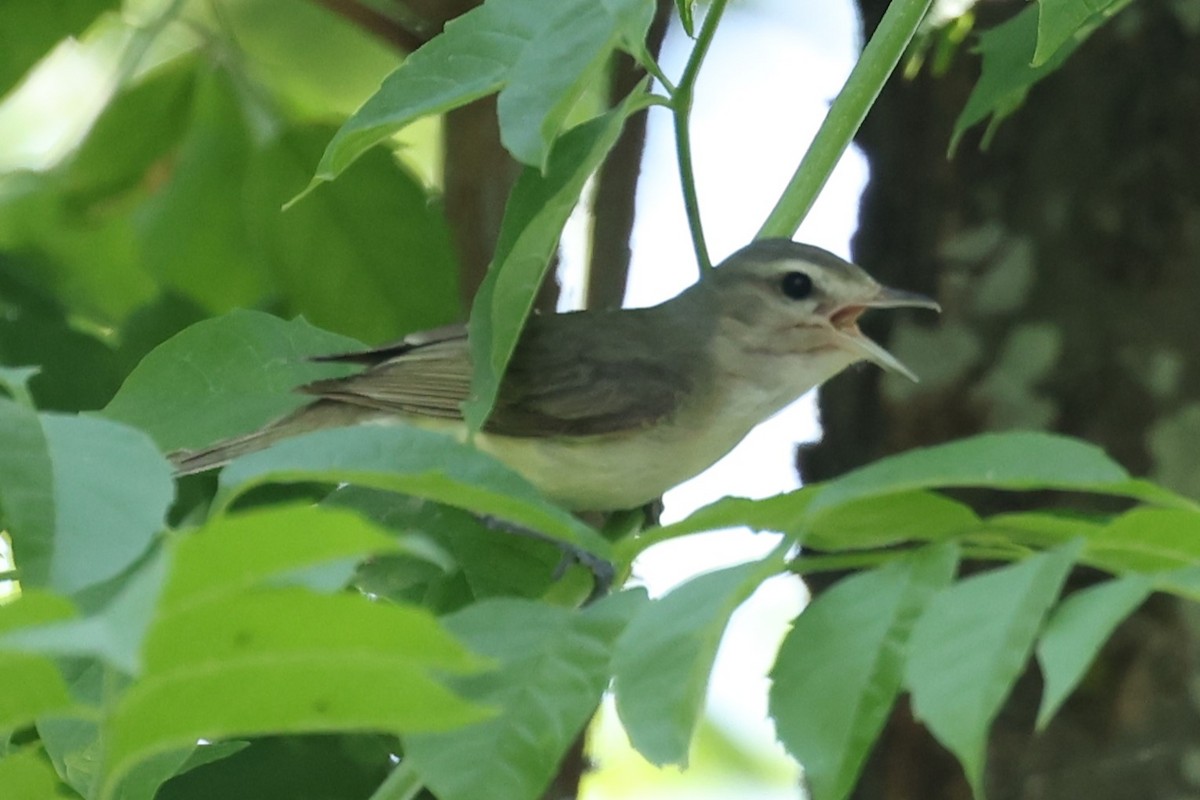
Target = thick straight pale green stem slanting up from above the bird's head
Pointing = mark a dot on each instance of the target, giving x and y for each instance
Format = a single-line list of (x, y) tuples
[(847, 115)]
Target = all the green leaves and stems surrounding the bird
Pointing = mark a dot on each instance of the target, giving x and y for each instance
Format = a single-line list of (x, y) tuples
[(352, 585)]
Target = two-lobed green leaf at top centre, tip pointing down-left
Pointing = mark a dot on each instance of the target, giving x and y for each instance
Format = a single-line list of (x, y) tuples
[(503, 44)]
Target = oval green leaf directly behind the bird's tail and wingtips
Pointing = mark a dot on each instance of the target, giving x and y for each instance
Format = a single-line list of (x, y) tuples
[(224, 377)]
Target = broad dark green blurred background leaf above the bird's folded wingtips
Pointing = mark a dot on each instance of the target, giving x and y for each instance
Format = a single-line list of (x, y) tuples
[(395, 264)]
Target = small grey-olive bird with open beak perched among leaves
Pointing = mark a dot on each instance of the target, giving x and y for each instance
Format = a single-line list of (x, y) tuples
[(608, 410)]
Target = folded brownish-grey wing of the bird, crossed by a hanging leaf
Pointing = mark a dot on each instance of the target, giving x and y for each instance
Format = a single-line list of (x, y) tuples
[(562, 380)]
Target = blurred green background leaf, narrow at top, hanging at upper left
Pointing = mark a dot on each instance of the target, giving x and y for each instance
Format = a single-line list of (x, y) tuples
[(209, 262)]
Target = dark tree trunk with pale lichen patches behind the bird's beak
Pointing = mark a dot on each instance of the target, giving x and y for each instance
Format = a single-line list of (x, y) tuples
[(1067, 258)]
